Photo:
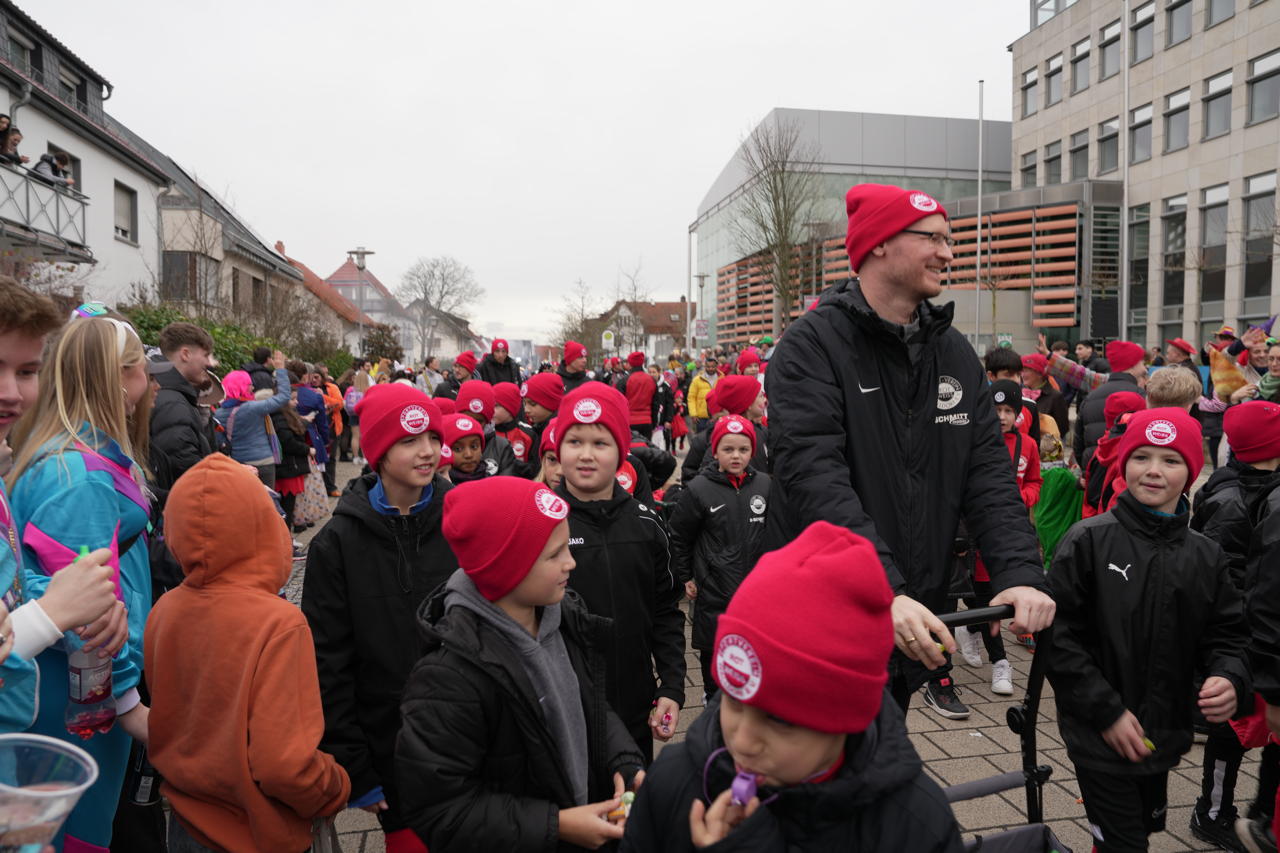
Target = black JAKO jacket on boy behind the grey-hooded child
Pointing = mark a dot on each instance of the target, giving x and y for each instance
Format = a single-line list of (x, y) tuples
[(625, 574)]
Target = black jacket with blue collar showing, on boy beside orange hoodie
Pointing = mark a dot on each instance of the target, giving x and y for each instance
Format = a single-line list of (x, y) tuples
[(367, 577)]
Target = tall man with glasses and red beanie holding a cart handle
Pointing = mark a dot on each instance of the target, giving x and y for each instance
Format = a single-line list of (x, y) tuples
[(881, 422)]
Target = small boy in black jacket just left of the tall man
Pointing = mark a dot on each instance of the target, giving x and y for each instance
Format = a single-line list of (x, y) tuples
[(717, 531)]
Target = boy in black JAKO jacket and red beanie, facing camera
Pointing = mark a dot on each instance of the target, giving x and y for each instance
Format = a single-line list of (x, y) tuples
[(625, 571)]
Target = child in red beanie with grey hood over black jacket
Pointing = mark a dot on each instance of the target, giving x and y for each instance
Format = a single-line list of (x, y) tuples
[(506, 745)]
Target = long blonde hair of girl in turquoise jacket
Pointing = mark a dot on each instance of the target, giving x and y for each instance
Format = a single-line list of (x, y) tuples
[(81, 384)]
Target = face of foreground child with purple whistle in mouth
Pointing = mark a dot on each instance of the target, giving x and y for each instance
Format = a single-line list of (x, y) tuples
[(781, 752)]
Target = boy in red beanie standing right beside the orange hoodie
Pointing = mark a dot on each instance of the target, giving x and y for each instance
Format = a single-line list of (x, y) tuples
[(368, 572)]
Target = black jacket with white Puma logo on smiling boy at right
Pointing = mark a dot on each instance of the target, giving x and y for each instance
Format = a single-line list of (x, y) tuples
[(1144, 606)]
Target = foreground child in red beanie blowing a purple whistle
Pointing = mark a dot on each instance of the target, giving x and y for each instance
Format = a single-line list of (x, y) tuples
[(798, 751)]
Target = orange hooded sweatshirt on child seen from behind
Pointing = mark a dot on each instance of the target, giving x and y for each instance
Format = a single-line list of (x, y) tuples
[(236, 717)]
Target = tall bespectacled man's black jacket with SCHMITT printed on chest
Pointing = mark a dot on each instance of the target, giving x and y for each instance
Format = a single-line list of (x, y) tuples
[(895, 441)]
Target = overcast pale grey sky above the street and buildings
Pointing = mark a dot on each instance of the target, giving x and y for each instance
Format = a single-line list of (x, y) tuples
[(537, 143)]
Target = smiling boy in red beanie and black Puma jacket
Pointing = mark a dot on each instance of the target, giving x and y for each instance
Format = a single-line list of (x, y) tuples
[(1144, 605)]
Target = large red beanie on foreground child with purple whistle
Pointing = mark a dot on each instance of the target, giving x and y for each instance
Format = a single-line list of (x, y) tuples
[(808, 635)]
